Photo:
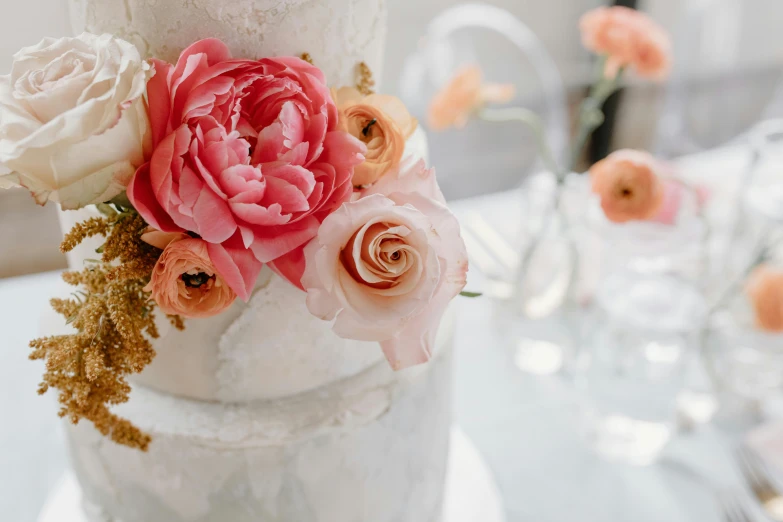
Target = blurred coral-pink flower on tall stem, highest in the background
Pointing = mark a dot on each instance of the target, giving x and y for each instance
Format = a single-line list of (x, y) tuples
[(628, 38)]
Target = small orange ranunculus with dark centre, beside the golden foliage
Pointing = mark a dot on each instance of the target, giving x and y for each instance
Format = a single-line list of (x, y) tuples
[(185, 282)]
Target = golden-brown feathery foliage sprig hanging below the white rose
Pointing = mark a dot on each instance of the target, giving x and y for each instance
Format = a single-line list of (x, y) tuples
[(113, 318)]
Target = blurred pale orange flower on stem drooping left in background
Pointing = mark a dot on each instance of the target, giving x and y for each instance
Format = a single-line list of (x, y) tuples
[(462, 96)]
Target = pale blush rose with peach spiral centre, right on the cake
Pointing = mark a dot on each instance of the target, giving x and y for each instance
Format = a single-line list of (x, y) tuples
[(385, 267)]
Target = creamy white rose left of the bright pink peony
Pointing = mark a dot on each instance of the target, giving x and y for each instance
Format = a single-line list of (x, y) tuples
[(73, 120)]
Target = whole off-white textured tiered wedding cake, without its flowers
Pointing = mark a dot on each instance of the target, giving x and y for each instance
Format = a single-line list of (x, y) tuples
[(263, 413)]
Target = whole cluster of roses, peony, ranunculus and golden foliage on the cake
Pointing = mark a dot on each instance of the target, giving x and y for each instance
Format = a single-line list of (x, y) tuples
[(204, 170)]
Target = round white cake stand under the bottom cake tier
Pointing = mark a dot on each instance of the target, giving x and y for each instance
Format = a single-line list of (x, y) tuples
[(471, 492)]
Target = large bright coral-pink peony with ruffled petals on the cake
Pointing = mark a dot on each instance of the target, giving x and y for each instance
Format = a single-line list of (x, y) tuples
[(247, 155)]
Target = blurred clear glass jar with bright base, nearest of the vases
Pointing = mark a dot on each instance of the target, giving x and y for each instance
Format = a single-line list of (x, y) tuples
[(645, 329)]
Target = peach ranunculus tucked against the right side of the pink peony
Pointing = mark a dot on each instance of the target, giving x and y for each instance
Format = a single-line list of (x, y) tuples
[(382, 123)]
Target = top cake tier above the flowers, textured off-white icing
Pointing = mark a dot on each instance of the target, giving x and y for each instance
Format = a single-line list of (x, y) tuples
[(338, 34)]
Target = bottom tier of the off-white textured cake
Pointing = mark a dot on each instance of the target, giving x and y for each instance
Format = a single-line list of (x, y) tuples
[(372, 447)]
